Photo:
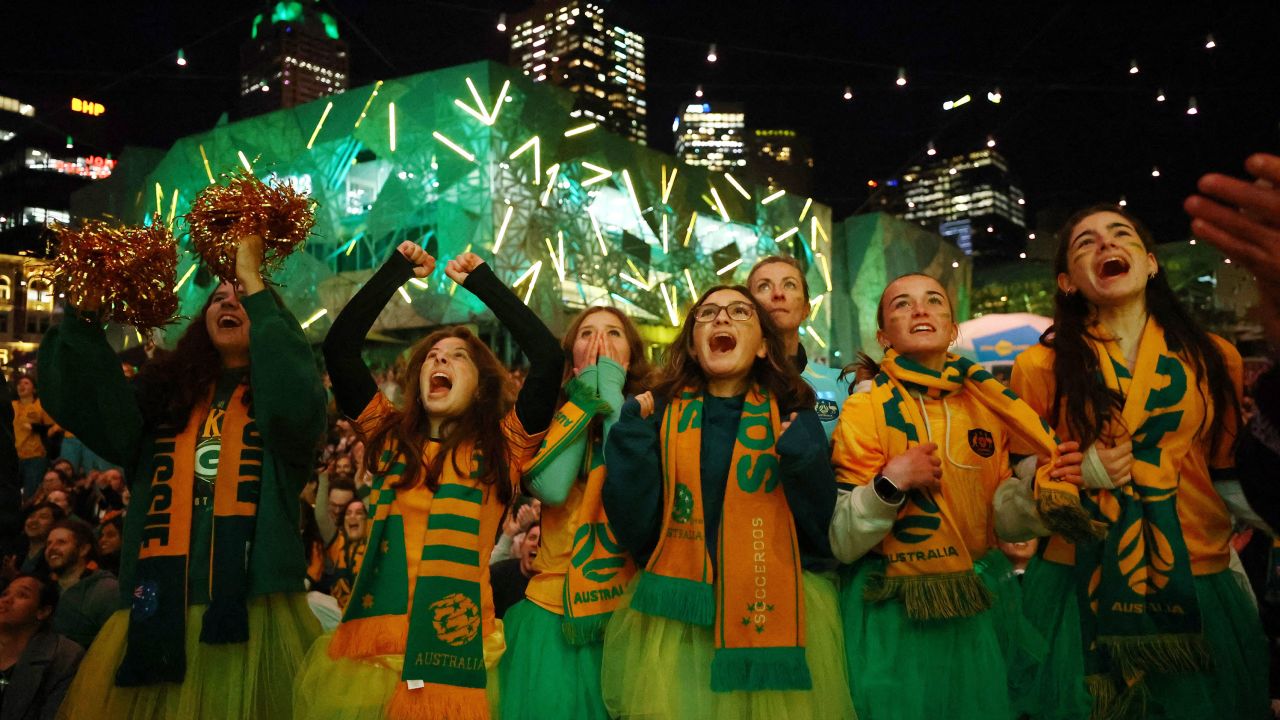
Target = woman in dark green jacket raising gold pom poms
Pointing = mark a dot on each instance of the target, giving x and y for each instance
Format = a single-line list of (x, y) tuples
[(218, 438)]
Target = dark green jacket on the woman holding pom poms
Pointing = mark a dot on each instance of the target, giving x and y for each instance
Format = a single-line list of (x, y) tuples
[(84, 388)]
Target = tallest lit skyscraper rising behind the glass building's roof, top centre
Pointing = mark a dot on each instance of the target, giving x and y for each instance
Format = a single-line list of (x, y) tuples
[(573, 44)]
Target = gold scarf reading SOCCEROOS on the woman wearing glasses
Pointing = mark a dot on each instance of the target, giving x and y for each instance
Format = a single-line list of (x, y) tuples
[(753, 598)]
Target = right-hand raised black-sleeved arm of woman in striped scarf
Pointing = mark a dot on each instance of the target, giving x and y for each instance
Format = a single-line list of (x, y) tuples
[(537, 402)]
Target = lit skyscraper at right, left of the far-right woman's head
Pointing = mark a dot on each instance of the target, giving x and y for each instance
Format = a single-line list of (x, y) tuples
[(972, 200)]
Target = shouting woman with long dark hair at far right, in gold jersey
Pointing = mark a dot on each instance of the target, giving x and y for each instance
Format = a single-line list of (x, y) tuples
[(1148, 622)]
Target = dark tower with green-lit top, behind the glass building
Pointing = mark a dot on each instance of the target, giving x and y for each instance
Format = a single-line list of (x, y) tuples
[(294, 56)]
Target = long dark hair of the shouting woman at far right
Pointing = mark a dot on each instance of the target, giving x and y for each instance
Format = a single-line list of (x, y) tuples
[(1080, 391)]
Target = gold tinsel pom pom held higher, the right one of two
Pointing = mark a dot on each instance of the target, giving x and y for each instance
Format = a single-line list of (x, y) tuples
[(223, 215)]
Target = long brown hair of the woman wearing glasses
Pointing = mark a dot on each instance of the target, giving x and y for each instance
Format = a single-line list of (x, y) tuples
[(775, 371)]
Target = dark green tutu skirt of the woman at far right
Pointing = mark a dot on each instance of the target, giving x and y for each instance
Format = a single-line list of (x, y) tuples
[(1236, 686)]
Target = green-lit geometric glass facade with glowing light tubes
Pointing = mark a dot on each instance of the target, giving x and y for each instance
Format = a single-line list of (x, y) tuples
[(482, 158)]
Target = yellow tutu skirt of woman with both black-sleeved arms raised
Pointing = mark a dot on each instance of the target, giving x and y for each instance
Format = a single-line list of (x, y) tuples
[(362, 690)]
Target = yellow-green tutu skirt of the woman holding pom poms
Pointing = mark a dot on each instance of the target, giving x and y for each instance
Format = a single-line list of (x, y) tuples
[(223, 682)]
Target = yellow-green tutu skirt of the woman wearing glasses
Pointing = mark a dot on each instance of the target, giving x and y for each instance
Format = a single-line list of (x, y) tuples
[(656, 668)]
